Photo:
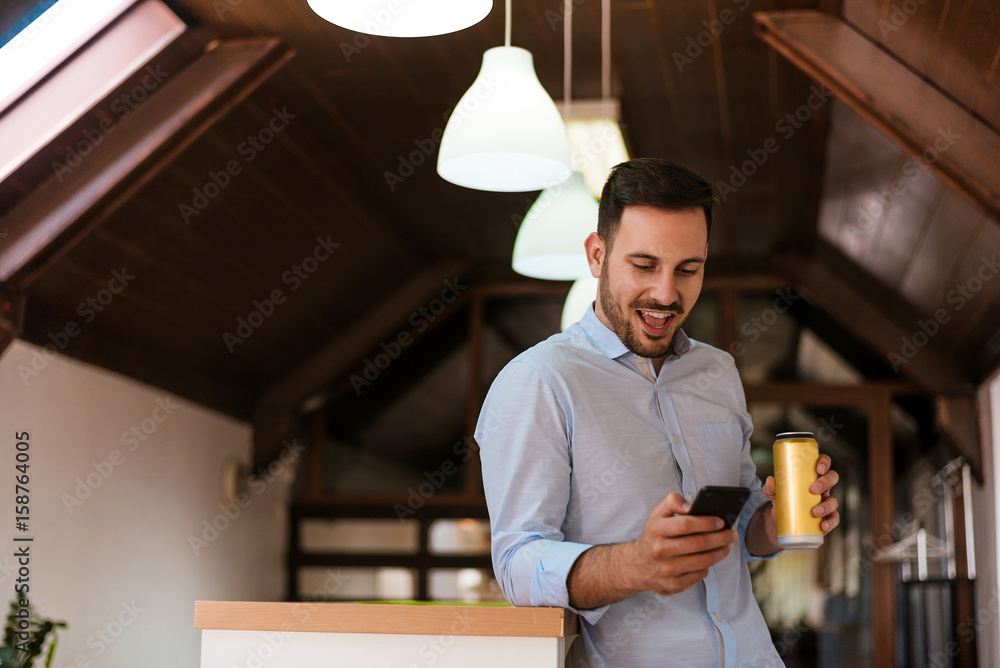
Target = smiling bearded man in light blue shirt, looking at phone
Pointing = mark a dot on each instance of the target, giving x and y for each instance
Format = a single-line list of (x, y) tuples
[(595, 441)]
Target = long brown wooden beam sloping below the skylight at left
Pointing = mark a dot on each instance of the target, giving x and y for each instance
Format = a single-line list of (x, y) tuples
[(62, 210)]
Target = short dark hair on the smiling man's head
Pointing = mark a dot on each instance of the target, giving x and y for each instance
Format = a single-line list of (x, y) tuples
[(651, 182)]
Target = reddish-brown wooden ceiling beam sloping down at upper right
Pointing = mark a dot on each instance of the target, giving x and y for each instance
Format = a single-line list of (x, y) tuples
[(907, 109)]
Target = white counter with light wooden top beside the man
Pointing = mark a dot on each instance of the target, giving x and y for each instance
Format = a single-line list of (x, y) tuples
[(287, 635)]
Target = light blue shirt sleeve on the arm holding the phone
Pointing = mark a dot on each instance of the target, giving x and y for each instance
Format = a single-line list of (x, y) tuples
[(524, 434)]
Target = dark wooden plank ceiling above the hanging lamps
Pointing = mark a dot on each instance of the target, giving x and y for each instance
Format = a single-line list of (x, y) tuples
[(347, 110)]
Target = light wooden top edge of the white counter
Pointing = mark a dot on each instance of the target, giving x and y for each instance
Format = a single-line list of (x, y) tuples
[(386, 618)]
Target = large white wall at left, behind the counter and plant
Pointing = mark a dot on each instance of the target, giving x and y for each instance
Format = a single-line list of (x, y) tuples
[(129, 543)]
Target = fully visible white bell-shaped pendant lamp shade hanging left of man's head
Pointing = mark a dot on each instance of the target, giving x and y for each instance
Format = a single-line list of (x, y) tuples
[(506, 134)]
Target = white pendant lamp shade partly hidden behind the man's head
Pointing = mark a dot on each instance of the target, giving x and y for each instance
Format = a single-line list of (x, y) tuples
[(549, 243)]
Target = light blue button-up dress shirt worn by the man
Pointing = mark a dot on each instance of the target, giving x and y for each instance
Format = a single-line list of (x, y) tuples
[(580, 440)]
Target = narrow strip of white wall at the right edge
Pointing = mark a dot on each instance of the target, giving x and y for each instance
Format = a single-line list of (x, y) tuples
[(987, 527)]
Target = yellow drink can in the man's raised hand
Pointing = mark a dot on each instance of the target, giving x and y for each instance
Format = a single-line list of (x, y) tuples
[(795, 456)]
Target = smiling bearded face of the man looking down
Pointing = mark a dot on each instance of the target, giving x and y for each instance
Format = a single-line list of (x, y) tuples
[(652, 276)]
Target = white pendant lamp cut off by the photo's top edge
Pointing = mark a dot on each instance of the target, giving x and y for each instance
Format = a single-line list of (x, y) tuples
[(403, 18)]
